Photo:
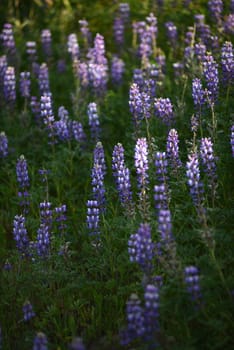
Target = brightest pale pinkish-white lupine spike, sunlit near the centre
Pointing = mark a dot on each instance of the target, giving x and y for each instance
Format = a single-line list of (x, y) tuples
[(142, 164)]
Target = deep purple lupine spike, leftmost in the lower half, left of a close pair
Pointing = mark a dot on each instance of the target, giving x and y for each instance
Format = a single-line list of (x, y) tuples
[(20, 234)]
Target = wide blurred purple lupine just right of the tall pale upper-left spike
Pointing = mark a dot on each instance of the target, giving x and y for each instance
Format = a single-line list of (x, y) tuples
[(62, 126)]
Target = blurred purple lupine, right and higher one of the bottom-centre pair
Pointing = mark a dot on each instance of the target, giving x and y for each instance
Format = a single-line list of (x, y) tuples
[(151, 310)]
